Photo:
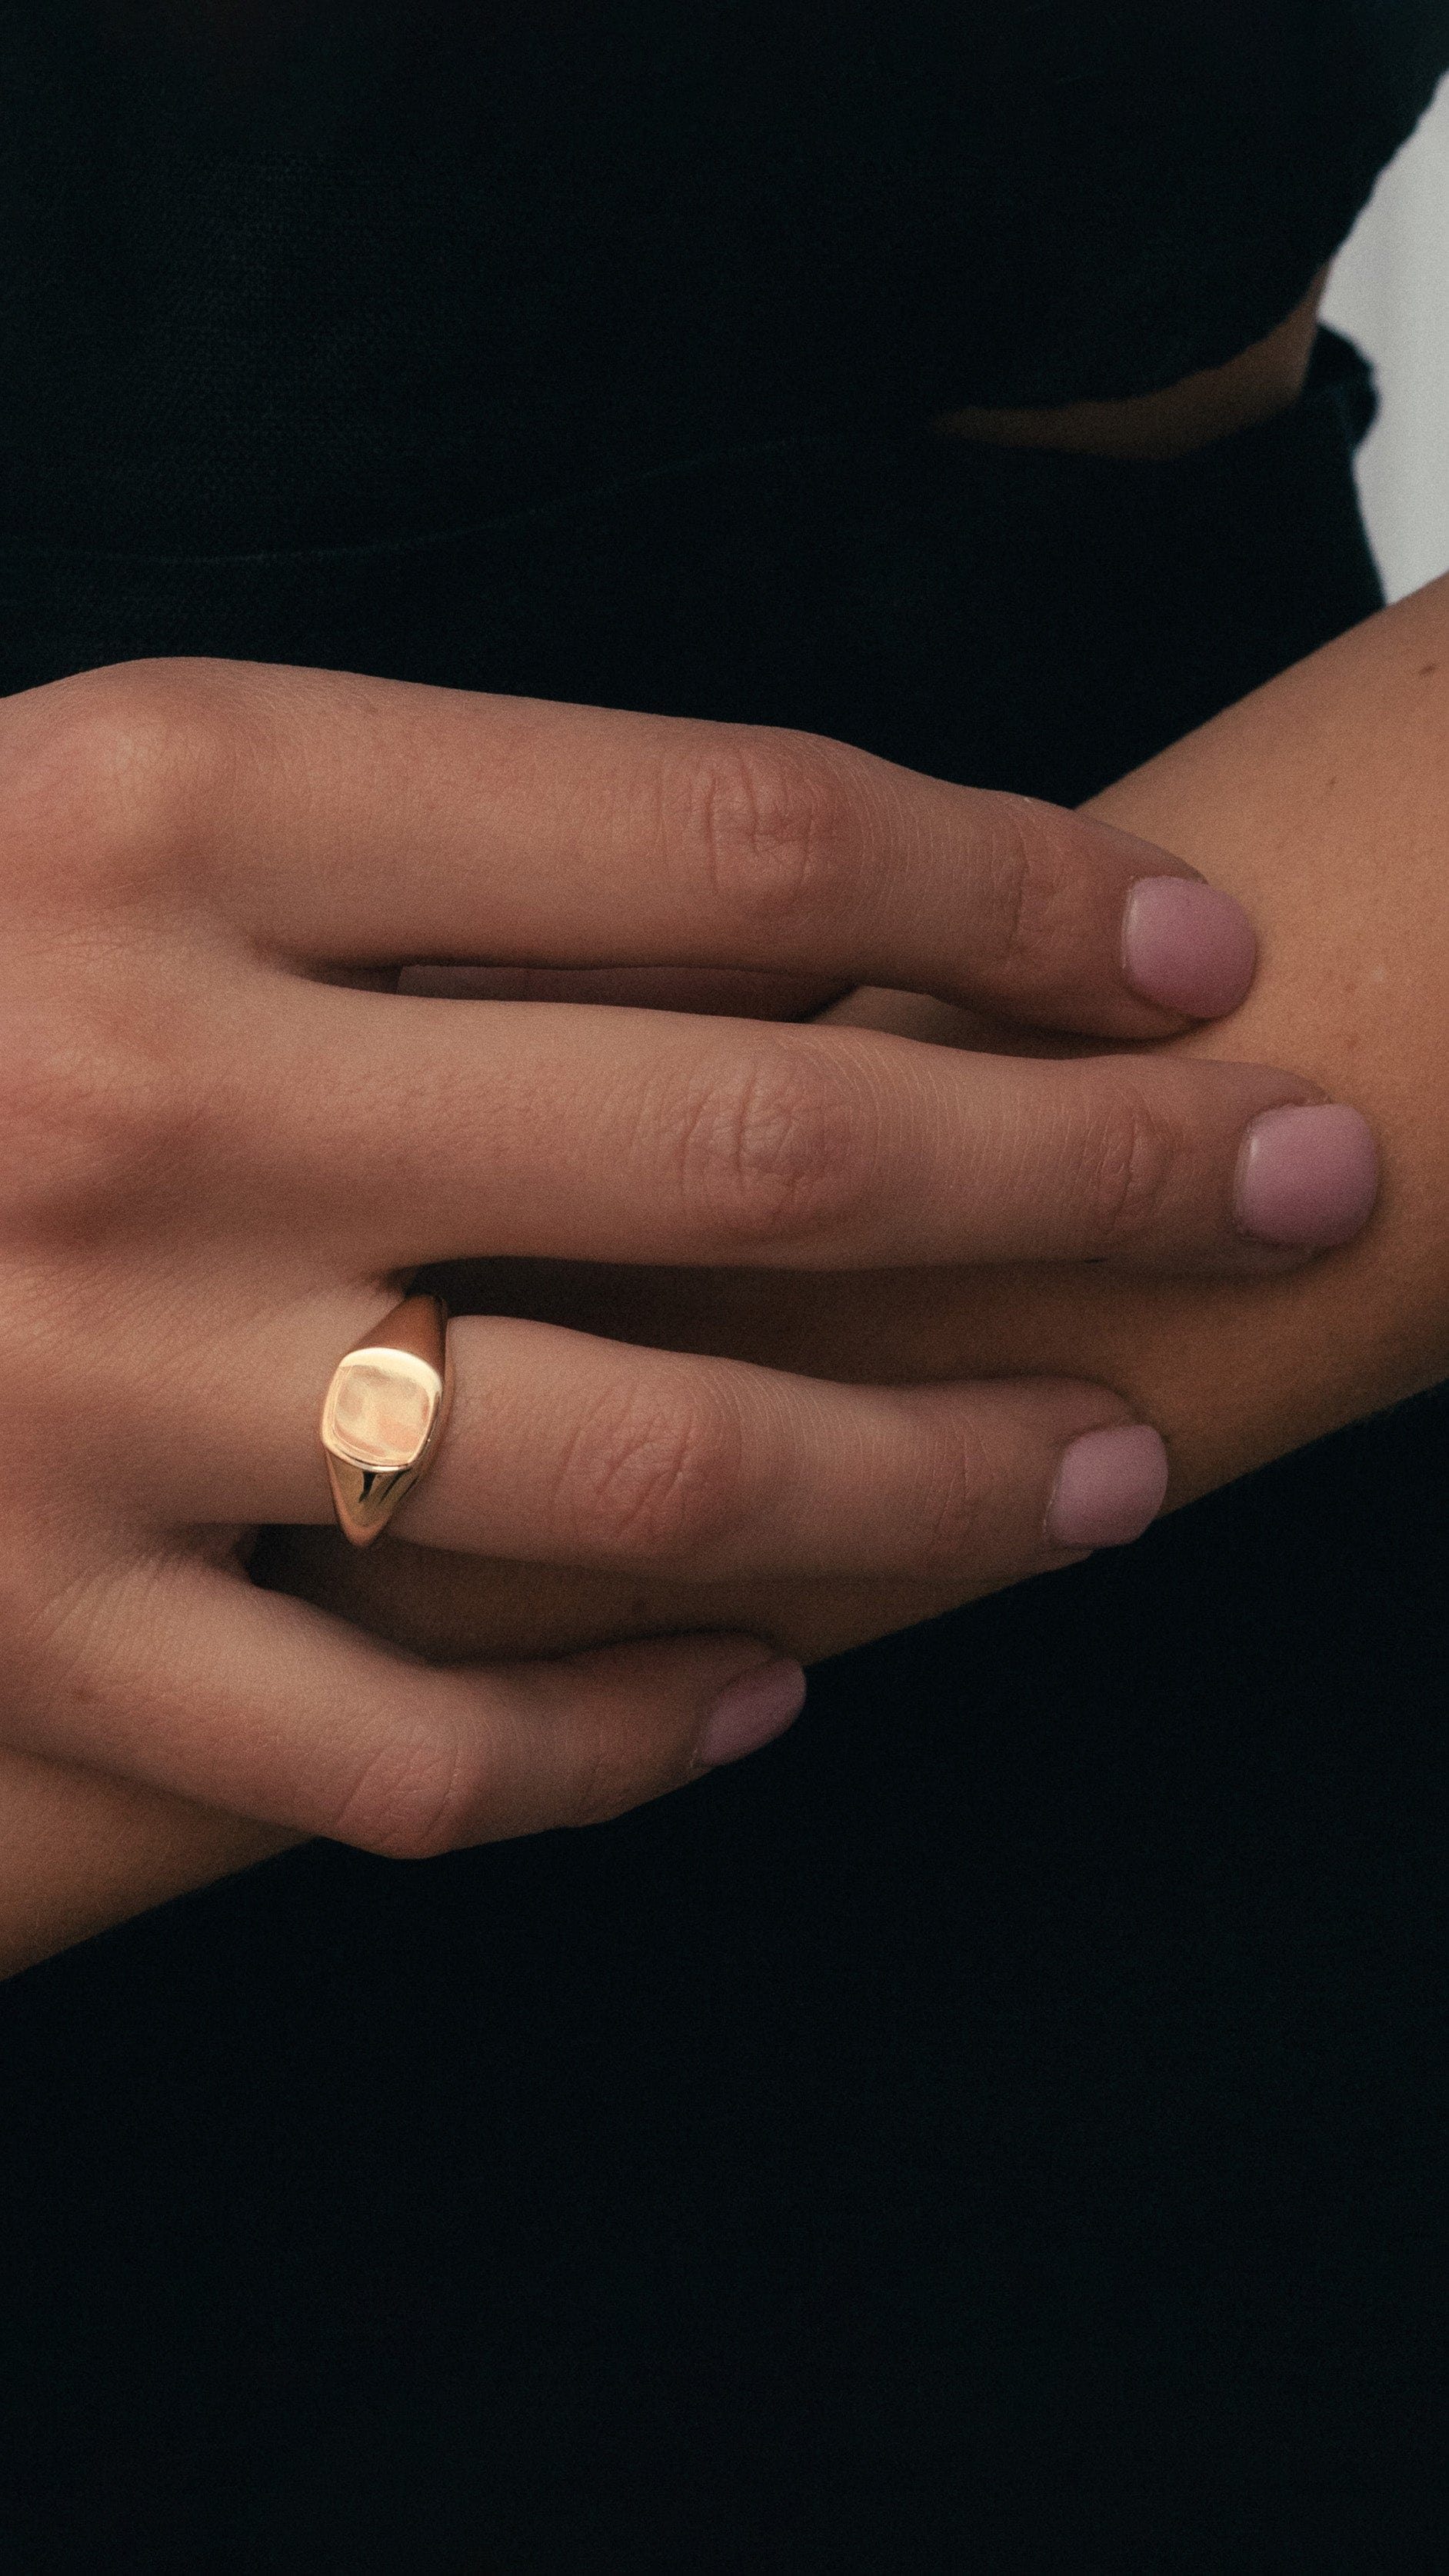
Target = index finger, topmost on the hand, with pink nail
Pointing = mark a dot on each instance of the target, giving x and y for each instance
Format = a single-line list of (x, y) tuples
[(374, 820)]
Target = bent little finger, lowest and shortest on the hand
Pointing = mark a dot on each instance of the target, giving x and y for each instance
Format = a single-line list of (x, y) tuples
[(202, 1686)]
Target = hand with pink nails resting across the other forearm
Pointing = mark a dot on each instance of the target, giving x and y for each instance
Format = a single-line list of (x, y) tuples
[(230, 1140)]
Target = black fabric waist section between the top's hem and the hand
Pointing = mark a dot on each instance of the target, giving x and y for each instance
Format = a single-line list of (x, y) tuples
[(972, 612)]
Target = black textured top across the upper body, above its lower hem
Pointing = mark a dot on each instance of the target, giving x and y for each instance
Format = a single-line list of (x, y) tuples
[(403, 264)]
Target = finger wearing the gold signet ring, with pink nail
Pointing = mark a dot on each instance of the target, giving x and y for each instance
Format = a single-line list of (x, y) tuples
[(568, 1449)]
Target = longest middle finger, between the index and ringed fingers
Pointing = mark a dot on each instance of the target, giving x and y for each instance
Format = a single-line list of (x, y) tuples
[(416, 1132)]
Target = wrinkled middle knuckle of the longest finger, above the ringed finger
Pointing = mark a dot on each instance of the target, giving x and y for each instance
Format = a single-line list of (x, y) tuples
[(781, 1145)]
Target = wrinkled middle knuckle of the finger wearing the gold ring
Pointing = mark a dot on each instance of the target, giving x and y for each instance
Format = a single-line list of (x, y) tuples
[(658, 1477)]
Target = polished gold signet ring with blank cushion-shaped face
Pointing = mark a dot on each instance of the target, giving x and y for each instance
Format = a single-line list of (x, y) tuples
[(385, 1416)]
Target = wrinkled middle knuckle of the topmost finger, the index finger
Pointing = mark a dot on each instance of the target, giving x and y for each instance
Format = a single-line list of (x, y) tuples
[(771, 828)]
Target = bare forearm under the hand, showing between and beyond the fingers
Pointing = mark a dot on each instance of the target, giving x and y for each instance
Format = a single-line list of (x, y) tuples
[(1324, 802)]
